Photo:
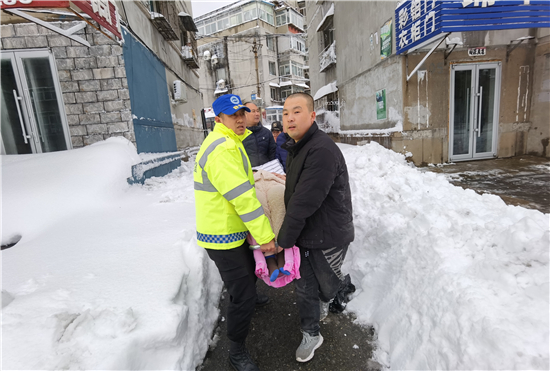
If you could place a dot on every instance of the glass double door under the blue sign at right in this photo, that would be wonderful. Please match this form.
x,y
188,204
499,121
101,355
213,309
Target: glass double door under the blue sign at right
x,y
474,111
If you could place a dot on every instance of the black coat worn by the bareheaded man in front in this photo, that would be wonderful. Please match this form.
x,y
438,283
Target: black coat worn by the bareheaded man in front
x,y
317,194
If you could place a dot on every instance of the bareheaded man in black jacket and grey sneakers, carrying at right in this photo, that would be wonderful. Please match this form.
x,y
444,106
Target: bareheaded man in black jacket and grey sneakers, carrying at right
x,y
319,217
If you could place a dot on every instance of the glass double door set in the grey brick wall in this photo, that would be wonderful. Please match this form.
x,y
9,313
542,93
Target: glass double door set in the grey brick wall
x,y
33,116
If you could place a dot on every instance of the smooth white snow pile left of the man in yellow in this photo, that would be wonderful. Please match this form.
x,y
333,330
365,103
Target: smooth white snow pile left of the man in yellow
x,y
106,275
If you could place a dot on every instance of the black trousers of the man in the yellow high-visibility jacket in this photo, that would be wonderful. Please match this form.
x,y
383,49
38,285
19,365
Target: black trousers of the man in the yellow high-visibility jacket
x,y
237,268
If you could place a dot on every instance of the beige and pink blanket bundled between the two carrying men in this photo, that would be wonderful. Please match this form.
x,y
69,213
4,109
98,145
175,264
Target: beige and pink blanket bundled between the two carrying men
x,y
270,192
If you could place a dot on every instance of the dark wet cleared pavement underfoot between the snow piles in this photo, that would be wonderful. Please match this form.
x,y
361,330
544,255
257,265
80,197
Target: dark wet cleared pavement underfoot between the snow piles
x,y
275,334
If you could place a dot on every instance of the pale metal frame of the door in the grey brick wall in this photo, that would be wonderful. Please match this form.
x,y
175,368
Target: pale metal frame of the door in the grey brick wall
x,y
27,112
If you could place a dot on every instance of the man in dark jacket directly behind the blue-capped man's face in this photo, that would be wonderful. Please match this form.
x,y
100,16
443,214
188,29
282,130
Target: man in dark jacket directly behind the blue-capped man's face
x,y
260,145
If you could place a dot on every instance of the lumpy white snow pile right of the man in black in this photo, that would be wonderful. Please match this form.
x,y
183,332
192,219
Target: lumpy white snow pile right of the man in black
x,y
449,278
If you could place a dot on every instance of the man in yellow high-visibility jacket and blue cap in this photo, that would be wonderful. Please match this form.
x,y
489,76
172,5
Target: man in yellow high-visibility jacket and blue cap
x,y
226,211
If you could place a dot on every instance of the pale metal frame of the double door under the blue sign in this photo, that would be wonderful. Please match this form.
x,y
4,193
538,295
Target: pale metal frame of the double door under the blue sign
x,y
474,110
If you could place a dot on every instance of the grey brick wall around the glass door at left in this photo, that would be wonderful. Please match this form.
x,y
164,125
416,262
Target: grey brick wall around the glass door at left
x,y
93,80
